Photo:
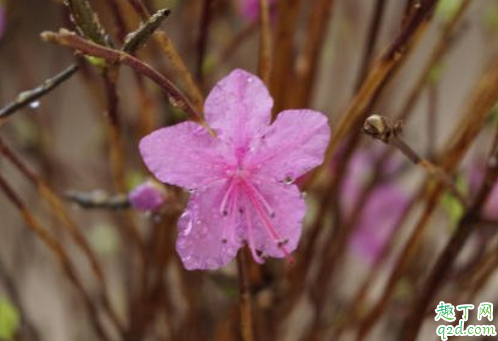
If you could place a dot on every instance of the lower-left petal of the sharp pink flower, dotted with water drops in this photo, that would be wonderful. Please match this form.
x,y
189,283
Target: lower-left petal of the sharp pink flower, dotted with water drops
x,y
204,241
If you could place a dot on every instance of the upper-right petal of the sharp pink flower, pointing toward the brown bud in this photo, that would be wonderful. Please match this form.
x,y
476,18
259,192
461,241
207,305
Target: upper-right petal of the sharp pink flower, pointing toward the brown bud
x,y
293,145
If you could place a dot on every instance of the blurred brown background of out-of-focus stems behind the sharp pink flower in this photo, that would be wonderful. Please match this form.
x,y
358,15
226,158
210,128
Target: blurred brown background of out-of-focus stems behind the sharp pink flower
x,y
67,138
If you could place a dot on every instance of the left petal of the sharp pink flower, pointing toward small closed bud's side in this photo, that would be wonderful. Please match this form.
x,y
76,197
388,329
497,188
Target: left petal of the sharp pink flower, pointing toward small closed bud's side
x,y
184,155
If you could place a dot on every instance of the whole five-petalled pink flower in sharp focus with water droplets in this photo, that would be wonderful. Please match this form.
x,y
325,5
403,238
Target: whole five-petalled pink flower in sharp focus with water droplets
x,y
240,180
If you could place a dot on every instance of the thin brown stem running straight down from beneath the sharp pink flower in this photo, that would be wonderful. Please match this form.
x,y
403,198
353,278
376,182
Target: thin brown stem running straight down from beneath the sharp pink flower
x,y
246,323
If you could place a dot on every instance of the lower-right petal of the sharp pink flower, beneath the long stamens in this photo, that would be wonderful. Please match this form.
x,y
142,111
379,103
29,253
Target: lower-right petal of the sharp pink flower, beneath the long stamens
x,y
282,211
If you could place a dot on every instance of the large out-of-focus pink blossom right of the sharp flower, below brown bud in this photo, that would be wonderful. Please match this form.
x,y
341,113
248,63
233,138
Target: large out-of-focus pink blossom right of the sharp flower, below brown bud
x,y
381,211
